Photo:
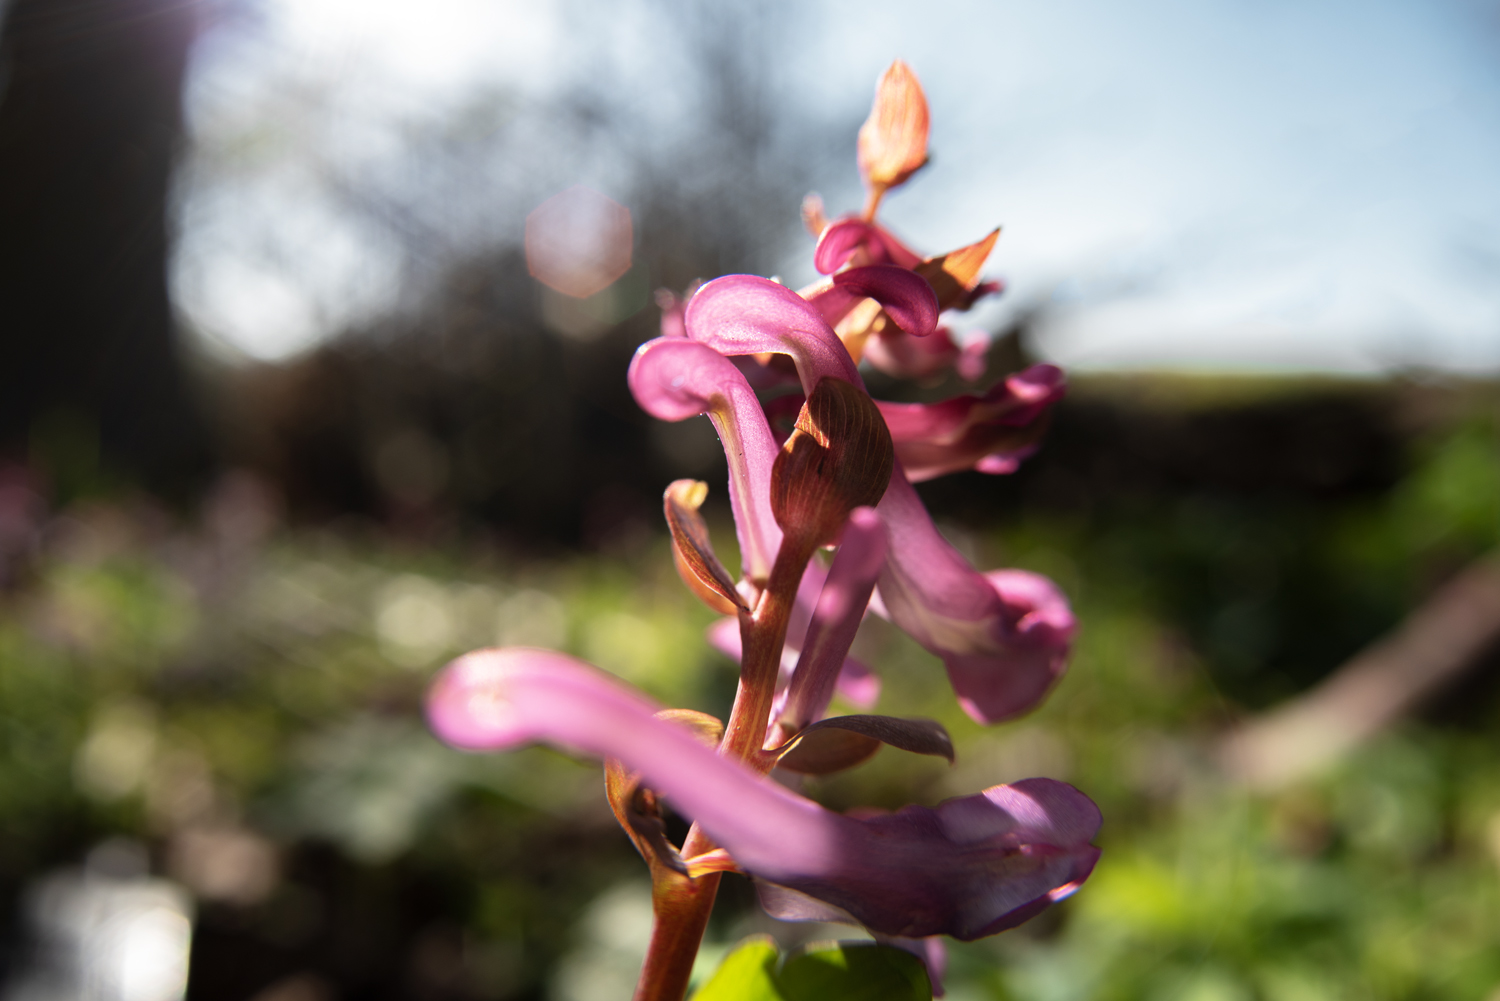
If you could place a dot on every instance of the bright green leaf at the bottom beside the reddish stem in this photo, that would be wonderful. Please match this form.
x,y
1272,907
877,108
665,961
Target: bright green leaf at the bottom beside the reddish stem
x,y
823,972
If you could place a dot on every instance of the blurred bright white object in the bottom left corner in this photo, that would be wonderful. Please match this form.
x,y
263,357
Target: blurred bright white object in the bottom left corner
x,y
107,933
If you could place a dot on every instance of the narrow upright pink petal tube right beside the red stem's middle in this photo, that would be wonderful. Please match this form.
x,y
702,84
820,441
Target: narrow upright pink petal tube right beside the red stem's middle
x,y
836,619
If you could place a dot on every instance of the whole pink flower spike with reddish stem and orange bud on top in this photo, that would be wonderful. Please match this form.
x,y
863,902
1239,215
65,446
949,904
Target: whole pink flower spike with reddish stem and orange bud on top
x,y
817,464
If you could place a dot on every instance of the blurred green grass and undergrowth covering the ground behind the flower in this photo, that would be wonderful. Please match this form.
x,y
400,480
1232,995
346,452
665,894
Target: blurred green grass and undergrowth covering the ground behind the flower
x,y
179,684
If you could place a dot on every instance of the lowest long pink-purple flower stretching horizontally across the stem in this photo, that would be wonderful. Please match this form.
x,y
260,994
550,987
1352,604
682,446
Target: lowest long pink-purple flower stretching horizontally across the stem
x,y
968,868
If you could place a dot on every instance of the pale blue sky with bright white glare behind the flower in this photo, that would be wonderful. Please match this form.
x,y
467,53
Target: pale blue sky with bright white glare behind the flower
x,y
1214,185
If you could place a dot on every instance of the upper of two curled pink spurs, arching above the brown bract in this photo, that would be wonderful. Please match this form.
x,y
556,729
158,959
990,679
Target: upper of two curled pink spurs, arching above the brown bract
x,y
743,314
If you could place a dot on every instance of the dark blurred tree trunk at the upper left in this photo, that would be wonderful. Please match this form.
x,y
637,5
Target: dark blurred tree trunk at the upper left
x,y
91,119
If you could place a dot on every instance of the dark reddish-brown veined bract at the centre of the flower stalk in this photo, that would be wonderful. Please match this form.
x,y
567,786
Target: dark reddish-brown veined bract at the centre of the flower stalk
x,y
838,458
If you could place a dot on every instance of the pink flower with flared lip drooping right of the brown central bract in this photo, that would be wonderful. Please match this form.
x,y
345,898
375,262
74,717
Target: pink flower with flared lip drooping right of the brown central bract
x,y
1004,639
